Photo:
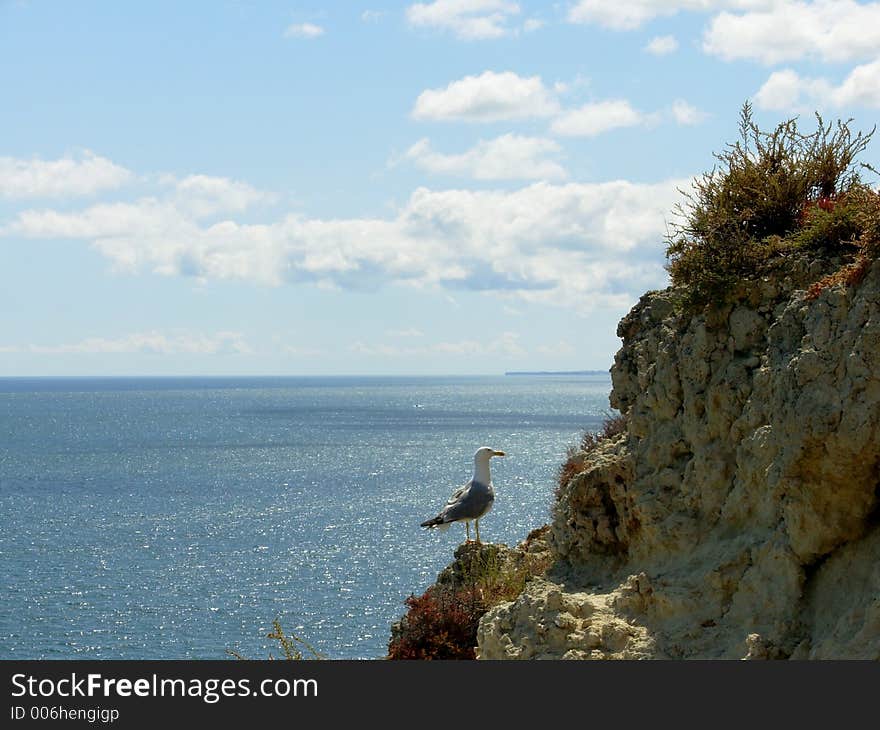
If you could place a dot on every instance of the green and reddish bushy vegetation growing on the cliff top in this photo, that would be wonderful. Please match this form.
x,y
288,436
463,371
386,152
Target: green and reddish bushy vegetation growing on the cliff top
x,y
771,195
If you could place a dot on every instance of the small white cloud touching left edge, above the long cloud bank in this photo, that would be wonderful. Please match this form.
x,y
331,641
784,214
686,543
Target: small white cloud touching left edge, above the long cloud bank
x,y
61,178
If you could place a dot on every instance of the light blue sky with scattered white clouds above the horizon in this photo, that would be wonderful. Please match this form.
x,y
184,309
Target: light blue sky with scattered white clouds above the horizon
x,y
459,186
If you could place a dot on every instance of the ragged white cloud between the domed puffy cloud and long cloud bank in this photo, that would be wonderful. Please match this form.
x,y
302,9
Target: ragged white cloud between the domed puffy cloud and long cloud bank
x,y
509,157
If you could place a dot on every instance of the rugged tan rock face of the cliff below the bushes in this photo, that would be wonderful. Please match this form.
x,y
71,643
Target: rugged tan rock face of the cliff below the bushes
x,y
738,515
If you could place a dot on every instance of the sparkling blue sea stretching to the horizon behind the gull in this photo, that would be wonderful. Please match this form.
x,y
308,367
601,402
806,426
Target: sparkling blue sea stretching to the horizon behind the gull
x,y
178,518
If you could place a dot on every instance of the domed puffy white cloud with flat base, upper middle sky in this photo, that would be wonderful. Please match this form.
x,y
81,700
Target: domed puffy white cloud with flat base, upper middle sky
x,y
488,97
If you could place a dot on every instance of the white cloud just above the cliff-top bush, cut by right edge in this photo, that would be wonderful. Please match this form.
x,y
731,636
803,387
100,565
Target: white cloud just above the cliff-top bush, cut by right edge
x,y
788,90
